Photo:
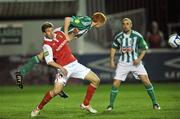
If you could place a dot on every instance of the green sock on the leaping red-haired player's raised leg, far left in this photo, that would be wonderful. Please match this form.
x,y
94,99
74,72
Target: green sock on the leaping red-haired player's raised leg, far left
x,y
26,68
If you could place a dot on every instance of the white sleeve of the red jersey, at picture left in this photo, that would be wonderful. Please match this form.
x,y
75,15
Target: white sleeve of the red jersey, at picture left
x,y
48,53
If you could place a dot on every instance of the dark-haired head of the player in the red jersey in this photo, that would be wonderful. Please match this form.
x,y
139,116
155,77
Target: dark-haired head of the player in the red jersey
x,y
47,29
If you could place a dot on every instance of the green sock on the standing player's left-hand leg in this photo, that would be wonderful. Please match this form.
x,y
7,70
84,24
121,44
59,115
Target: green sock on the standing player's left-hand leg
x,y
113,94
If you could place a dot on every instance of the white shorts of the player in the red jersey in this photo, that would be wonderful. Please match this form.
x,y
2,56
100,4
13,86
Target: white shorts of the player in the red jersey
x,y
74,69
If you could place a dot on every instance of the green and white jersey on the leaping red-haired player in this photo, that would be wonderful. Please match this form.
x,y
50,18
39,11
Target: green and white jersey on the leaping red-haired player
x,y
82,23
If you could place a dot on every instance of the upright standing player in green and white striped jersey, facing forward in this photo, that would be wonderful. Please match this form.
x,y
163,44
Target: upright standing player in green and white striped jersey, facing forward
x,y
132,48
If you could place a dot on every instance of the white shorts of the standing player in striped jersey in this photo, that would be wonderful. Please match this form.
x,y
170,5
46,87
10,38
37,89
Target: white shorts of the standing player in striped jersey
x,y
123,69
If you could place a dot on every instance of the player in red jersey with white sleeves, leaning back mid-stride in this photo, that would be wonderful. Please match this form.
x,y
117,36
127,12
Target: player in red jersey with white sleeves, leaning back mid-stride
x,y
56,46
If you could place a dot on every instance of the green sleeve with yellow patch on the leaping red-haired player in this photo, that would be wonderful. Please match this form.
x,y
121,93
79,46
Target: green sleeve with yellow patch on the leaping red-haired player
x,y
80,21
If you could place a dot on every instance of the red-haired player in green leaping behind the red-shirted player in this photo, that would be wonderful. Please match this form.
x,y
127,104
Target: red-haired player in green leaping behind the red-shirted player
x,y
74,27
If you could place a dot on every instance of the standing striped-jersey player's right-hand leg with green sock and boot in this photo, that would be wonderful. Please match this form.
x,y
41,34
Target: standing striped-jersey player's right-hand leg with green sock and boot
x,y
150,90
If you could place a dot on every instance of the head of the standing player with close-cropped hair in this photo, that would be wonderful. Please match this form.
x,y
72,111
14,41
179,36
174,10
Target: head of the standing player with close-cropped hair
x,y
126,25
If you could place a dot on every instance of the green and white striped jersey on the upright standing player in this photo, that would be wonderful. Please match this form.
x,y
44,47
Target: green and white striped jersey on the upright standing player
x,y
129,45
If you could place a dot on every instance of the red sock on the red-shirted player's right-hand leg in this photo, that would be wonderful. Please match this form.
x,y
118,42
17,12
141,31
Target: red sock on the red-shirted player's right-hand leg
x,y
90,91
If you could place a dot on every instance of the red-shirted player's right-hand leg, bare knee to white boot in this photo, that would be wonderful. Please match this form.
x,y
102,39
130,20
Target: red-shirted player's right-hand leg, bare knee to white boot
x,y
94,83
